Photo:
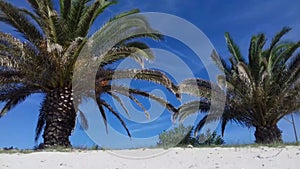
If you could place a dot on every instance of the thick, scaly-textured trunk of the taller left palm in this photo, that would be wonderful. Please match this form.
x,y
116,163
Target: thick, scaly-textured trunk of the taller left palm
x,y
60,117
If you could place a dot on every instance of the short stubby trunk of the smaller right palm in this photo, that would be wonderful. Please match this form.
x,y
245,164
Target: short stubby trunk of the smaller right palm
x,y
268,134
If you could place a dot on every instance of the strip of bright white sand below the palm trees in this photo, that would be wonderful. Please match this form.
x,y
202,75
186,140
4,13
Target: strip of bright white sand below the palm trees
x,y
176,158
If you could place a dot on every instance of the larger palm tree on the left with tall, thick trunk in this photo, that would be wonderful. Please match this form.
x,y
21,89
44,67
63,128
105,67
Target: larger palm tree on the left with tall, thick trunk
x,y
44,58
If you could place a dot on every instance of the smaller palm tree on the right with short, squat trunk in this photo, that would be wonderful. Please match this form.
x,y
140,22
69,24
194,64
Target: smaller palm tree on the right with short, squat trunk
x,y
260,89
